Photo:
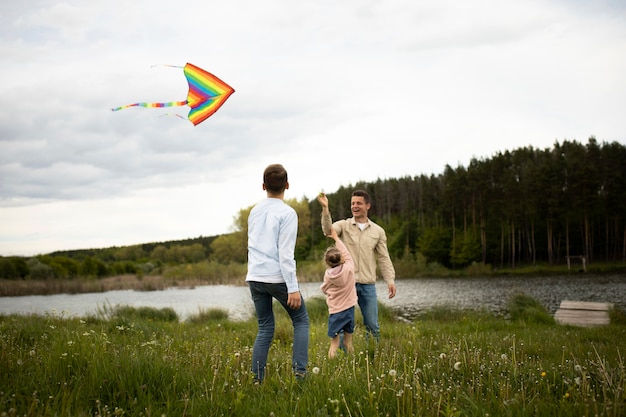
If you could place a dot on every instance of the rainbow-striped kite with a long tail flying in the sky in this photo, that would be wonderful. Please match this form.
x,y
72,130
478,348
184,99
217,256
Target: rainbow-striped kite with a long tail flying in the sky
x,y
206,94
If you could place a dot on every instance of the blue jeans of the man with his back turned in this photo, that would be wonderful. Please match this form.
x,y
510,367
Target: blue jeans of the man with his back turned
x,y
263,295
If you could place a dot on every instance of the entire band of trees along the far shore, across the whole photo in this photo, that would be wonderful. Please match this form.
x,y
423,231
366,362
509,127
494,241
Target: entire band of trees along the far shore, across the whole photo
x,y
516,208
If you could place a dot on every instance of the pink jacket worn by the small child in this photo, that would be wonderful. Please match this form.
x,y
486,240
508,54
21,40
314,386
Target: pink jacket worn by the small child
x,y
339,284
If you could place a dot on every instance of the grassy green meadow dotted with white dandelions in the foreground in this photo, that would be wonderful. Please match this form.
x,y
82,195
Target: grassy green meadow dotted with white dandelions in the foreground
x,y
128,361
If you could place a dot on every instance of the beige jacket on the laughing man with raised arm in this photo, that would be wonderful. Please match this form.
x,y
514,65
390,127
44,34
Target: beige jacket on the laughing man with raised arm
x,y
368,248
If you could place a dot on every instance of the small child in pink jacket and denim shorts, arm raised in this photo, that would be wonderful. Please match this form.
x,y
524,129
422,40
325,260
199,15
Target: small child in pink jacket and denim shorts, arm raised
x,y
340,289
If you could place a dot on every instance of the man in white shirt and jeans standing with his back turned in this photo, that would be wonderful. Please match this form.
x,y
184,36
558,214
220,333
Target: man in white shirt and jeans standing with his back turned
x,y
272,233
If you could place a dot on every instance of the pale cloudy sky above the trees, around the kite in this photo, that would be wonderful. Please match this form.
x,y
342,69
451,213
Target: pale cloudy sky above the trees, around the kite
x,y
337,91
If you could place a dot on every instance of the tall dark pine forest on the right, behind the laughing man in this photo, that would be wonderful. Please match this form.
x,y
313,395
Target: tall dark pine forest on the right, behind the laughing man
x,y
516,208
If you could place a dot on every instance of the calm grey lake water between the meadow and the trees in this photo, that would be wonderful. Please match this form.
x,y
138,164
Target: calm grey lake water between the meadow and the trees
x,y
414,296
